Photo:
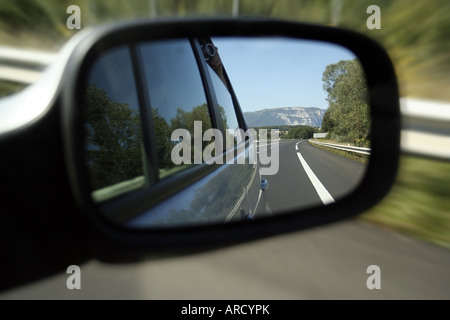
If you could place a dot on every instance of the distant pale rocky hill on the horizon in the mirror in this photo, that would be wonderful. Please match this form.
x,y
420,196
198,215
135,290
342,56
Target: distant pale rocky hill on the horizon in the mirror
x,y
285,116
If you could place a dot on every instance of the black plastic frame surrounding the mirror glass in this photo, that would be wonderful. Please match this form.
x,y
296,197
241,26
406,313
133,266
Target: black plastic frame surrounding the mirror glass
x,y
114,243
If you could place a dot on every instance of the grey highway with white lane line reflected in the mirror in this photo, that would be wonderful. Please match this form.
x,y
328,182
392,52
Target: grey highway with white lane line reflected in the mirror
x,y
309,176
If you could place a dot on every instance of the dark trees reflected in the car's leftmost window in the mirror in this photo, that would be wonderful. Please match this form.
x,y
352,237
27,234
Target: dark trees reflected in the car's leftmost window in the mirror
x,y
113,140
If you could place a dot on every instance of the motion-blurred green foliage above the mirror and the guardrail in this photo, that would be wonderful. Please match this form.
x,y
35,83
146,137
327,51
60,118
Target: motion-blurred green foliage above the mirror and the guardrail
x,y
415,33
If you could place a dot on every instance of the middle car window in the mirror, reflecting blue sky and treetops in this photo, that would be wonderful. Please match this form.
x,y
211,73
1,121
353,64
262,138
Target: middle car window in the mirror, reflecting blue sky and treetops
x,y
176,95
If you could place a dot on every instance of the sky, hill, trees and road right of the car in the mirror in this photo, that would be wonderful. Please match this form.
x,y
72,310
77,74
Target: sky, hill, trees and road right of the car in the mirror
x,y
315,95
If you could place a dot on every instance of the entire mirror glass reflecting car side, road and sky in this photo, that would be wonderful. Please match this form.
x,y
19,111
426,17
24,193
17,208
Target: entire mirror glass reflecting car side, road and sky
x,y
196,131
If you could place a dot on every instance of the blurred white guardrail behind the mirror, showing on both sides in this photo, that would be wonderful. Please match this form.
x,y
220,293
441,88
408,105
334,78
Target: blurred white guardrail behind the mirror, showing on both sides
x,y
425,124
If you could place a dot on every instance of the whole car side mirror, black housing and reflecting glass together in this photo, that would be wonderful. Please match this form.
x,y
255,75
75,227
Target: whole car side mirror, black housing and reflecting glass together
x,y
169,147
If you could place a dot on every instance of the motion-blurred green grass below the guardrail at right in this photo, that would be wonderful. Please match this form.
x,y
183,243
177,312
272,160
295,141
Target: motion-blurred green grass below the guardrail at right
x,y
418,202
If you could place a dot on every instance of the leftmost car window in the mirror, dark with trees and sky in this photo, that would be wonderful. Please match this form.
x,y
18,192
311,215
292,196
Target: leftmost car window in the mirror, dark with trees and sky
x,y
113,136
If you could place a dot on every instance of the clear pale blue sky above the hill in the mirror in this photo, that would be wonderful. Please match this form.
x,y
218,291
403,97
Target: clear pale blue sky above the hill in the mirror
x,y
278,72
